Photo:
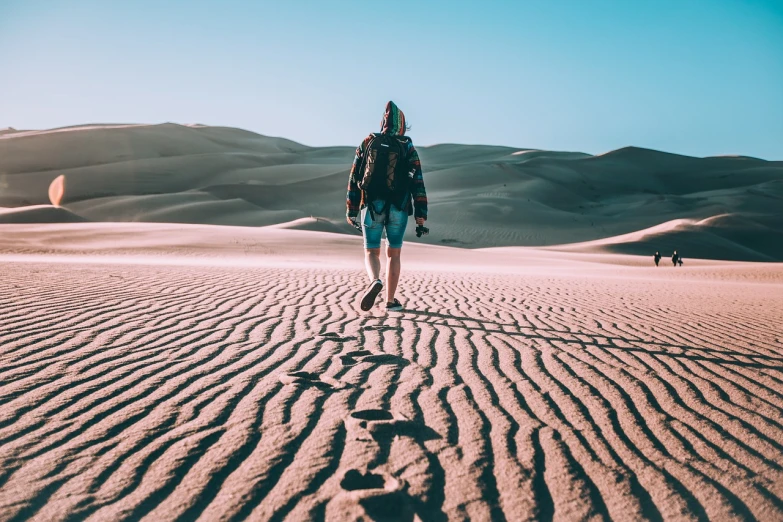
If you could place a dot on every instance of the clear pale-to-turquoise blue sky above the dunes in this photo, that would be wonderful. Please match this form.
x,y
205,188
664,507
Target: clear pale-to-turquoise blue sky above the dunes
x,y
698,77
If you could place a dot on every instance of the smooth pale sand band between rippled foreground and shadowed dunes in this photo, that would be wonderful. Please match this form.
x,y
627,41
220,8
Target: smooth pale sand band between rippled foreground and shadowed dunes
x,y
305,243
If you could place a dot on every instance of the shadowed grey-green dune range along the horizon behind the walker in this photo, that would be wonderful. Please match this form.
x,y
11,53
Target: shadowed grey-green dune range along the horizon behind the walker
x,y
481,196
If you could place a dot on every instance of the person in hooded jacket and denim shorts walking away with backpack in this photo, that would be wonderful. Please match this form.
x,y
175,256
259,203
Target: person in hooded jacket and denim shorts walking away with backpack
x,y
385,187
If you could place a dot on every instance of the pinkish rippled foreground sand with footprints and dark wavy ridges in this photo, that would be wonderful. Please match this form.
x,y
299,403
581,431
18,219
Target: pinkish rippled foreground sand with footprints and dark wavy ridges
x,y
172,393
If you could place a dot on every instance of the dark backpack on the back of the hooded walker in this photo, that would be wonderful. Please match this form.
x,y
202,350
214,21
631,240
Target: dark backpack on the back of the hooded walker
x,y
384,171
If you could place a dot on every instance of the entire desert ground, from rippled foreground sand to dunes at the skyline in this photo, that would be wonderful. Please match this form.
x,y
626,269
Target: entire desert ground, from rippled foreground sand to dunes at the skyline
x,y
180,337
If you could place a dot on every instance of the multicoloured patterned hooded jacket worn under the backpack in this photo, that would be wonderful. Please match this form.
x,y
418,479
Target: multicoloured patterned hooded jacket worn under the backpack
x,y
393,123
